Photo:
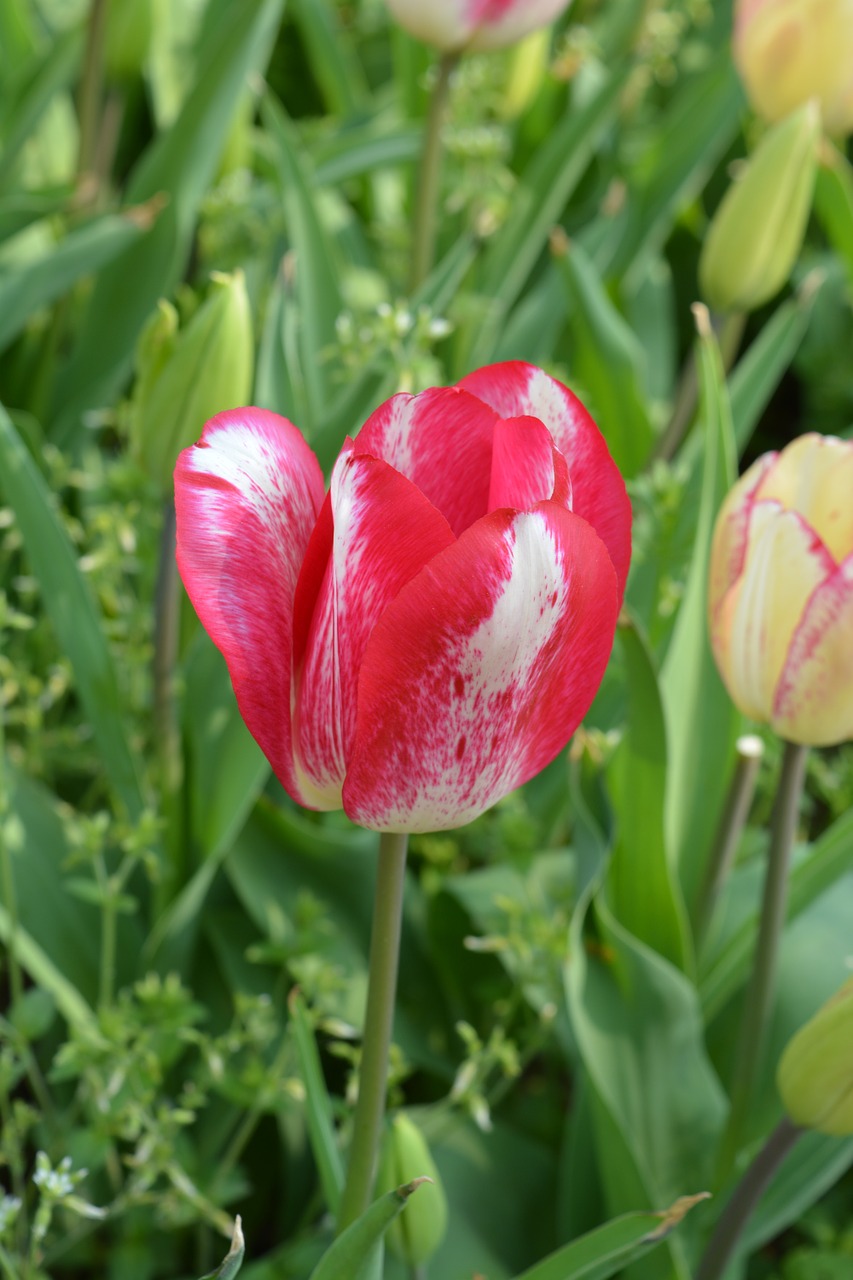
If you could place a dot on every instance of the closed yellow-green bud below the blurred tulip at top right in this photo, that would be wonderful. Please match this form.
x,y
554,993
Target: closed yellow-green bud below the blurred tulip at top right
x,y
758,232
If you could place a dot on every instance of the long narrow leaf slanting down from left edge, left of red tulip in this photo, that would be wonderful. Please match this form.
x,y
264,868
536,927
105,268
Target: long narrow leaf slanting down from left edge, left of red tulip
x,y
69,602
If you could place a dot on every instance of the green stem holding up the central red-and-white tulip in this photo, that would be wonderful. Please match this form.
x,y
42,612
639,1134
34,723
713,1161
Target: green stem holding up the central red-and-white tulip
x,y
382,988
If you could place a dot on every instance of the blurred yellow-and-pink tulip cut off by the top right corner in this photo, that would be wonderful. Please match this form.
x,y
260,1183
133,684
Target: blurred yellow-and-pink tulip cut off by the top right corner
x,y
790,52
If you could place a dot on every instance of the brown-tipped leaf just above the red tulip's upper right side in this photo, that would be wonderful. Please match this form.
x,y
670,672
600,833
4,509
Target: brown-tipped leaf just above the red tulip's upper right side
x,y
606,360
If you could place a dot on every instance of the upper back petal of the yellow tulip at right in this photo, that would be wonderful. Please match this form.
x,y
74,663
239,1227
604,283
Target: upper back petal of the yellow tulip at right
x,y
814,476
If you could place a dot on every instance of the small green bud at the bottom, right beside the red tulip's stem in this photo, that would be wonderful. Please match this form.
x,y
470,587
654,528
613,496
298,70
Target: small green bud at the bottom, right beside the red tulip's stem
x,y
405,1156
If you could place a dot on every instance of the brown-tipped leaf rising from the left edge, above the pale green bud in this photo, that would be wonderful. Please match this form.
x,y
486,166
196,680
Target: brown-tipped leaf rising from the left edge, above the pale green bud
x,y
44,280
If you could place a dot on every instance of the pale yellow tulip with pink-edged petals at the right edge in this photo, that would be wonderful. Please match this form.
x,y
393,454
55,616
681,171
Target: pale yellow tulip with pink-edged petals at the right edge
x,y
782,591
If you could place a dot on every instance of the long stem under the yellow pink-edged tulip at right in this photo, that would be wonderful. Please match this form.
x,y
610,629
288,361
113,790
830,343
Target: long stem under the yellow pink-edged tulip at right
x,y
760,993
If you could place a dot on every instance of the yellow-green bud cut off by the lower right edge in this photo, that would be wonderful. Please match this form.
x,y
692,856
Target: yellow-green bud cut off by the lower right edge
x,y
816,1071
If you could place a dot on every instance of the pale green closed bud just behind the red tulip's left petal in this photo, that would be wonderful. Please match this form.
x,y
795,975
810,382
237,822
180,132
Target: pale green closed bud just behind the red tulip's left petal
x,y
186,377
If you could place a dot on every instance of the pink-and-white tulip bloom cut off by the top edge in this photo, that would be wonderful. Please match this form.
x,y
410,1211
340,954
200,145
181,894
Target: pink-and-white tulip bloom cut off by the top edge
x,y
457,26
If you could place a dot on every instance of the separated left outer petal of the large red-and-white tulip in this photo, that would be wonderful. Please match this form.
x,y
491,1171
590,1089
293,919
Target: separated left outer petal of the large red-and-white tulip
x,y
247,500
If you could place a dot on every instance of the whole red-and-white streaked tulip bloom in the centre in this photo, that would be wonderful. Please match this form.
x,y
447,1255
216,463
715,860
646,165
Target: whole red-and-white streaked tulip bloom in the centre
x,y
427,637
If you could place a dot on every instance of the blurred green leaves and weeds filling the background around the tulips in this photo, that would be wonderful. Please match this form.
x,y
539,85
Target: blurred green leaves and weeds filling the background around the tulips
x,y
562,1040
